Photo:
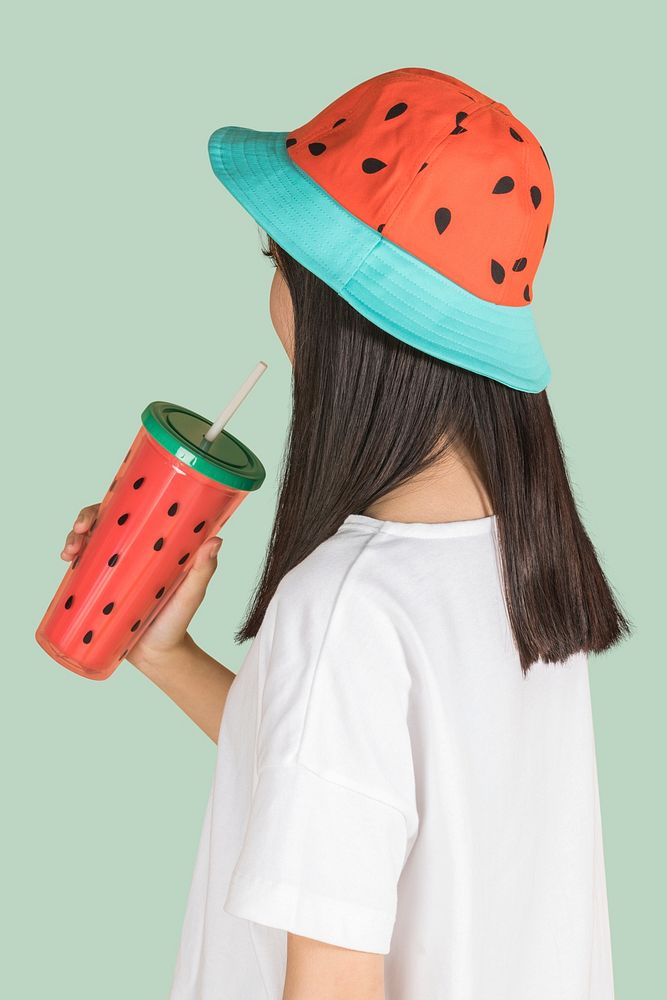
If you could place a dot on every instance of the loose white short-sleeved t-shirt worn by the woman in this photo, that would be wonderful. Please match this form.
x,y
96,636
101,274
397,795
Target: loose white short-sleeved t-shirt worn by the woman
x,y
387,780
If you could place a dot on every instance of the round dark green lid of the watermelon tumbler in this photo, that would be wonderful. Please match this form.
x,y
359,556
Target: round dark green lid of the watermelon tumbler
x,y
181,432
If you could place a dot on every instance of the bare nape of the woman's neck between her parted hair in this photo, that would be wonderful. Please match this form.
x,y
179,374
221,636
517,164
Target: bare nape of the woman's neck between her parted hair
x,y
450,490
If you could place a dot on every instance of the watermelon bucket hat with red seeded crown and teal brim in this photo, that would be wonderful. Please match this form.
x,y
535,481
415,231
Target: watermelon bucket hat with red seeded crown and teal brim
x,y
421,201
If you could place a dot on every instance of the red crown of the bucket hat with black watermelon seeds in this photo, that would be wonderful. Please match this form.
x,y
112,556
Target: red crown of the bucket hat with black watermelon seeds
x,y
440,169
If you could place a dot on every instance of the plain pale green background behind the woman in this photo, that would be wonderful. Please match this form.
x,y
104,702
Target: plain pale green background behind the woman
x,y
132,275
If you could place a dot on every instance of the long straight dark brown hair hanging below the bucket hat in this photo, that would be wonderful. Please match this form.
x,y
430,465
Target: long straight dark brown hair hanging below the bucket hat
x,y
370,412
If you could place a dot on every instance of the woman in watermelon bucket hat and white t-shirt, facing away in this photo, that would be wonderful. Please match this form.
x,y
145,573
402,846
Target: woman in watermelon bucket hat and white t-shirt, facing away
x,y
405,803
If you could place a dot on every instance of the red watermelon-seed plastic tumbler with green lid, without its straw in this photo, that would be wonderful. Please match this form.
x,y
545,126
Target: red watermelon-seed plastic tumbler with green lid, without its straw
x,y
167,498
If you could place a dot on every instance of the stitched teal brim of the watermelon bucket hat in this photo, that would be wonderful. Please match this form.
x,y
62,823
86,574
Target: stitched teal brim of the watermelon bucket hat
x,y
386,284
